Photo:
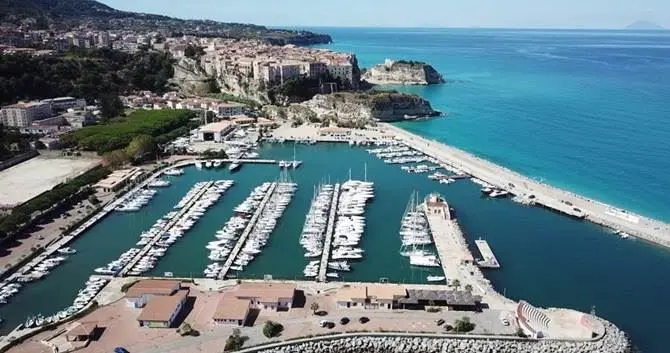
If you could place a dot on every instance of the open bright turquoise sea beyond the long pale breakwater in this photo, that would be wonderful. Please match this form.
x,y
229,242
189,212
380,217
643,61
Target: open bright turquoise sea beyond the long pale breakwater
x,y
583,110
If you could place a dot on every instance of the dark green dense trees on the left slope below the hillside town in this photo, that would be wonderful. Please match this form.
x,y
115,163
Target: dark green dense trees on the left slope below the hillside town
x,y
88,74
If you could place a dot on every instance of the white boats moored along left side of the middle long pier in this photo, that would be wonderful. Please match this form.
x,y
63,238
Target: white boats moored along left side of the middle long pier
x,y
229,235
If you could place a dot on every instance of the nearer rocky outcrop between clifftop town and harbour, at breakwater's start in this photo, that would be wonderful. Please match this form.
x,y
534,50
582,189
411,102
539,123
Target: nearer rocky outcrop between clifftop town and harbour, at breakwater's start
x,y
356,109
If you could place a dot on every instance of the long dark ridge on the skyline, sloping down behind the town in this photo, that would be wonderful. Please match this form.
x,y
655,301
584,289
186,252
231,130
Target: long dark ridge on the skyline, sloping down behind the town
x,y
67,14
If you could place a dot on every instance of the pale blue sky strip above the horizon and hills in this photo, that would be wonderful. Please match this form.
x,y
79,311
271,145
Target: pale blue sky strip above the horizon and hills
x,y
413,13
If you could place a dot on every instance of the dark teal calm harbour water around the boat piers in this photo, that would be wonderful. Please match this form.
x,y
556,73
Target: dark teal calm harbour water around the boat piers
x,y
548,259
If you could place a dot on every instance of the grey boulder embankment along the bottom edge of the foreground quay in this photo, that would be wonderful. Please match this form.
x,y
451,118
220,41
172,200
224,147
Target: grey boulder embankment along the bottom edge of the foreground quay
x,y
614,341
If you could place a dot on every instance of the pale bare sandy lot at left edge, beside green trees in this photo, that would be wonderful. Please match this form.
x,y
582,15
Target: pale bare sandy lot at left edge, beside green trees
x,y
26,180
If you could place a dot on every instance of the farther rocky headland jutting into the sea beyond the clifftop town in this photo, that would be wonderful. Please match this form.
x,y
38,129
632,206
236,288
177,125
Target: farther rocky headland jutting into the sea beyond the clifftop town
x,y
404,73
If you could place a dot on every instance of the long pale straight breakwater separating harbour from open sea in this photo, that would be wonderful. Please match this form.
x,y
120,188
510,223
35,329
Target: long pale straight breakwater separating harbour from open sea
x,y
545,195
